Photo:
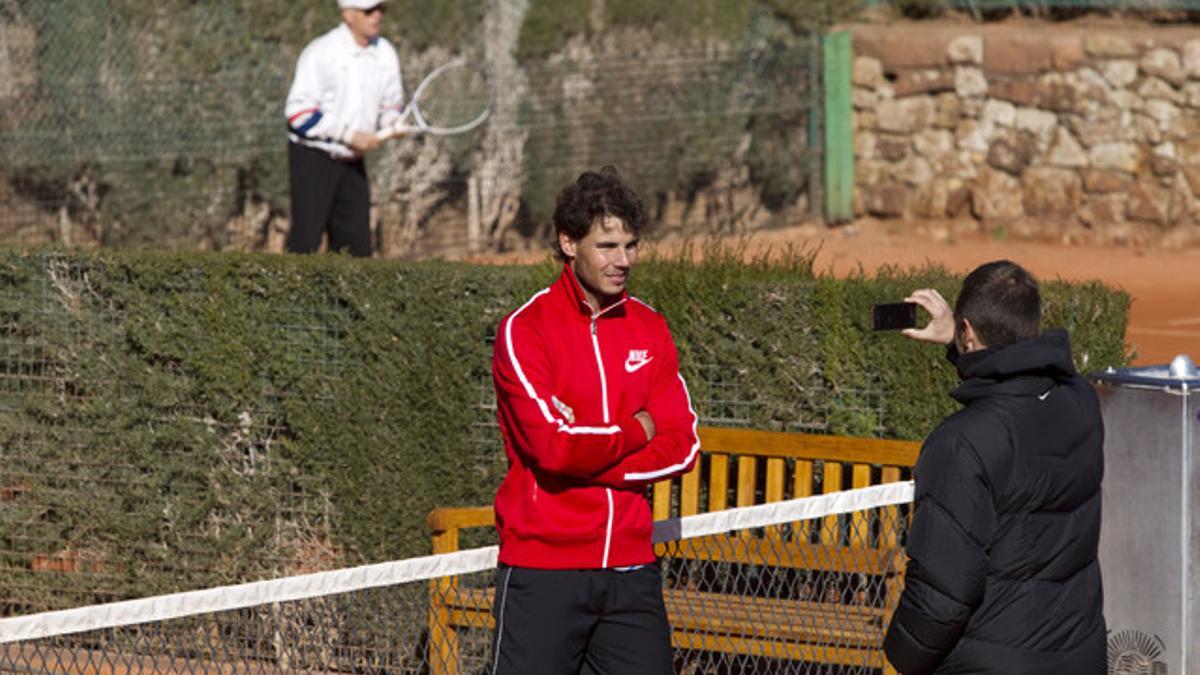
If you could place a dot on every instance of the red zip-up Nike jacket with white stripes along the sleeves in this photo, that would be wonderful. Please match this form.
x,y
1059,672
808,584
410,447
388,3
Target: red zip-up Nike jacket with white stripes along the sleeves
x,y
568,383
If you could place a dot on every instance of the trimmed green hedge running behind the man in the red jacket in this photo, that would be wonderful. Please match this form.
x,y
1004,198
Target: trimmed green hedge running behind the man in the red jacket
x,y
175,421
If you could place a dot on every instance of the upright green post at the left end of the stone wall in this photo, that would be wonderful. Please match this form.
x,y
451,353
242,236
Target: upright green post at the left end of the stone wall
x,y
839,132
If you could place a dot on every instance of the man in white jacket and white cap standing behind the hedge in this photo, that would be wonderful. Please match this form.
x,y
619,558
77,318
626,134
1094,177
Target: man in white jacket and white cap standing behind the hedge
x,y
347,87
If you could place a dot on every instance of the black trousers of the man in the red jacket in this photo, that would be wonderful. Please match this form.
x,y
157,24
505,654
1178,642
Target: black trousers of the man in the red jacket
x,y
590,622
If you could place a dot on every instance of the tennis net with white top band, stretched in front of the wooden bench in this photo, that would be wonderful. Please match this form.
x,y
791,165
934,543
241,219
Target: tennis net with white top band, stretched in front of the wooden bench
x,y
799,587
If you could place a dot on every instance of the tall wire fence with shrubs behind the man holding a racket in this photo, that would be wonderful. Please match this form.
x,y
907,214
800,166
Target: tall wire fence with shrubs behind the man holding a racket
x,y
163,126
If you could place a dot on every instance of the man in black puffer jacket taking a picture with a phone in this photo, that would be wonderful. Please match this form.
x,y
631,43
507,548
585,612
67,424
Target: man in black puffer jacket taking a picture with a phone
x,y
1003,575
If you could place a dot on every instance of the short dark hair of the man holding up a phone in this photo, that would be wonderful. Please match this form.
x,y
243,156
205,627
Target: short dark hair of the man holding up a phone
x,y
1003,303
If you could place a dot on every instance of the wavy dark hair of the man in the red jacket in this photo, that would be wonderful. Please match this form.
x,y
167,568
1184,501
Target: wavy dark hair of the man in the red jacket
x,y
592,198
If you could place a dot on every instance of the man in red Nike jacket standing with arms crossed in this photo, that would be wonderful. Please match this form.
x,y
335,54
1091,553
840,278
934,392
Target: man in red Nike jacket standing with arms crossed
x,y
593,410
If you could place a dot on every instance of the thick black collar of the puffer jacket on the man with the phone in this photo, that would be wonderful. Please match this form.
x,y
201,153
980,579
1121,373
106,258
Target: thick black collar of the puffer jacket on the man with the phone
x,y
1028,368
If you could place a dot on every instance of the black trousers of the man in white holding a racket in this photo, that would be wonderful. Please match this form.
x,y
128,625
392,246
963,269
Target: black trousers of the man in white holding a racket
x,y
328,194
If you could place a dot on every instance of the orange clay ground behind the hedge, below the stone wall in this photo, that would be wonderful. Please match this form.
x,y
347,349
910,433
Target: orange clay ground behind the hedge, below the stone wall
x,y
1165,283
